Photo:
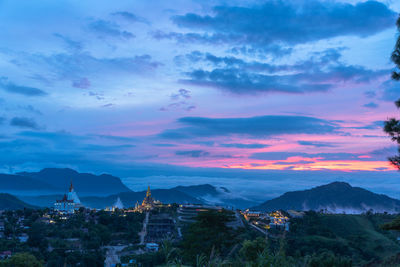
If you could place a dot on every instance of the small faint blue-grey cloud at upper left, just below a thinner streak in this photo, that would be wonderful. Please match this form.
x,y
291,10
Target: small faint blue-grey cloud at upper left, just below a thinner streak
x,y
109,29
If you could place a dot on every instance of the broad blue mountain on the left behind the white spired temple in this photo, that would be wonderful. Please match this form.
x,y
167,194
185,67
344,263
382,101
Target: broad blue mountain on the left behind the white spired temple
x,y
84,183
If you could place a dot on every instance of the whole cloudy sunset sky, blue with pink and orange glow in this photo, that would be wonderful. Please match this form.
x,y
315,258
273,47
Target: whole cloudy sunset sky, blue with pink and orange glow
x,y
290,93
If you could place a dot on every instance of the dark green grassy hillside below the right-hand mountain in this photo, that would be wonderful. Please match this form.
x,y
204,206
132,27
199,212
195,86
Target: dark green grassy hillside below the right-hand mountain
x,y
357,237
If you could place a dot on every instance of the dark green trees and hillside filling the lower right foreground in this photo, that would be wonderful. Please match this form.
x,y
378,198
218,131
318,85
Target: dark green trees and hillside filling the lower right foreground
x,y
315,240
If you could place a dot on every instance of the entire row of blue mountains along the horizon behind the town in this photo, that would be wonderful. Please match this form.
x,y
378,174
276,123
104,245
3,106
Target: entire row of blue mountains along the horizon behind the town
x,y
99,191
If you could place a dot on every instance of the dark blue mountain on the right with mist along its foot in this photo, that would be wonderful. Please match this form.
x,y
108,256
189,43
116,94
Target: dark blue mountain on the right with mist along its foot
x,y
336,197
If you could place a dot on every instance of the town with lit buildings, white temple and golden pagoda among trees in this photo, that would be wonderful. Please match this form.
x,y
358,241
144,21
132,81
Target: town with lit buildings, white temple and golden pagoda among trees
x,y
116,235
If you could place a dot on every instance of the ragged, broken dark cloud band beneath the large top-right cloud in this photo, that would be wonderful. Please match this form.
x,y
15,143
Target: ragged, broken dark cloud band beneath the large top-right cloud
x,y
320,73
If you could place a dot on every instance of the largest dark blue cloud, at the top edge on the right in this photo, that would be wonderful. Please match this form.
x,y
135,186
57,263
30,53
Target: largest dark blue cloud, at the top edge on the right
x,y
287,22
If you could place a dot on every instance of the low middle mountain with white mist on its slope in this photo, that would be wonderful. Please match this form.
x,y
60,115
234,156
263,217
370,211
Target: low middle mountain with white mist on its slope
x,y
216,195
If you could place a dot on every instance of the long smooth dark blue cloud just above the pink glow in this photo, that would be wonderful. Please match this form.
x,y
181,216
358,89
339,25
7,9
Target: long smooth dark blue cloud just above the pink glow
x,y
252,126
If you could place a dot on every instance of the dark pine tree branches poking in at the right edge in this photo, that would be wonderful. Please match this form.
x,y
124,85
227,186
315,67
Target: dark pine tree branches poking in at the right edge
x,y
392,125
